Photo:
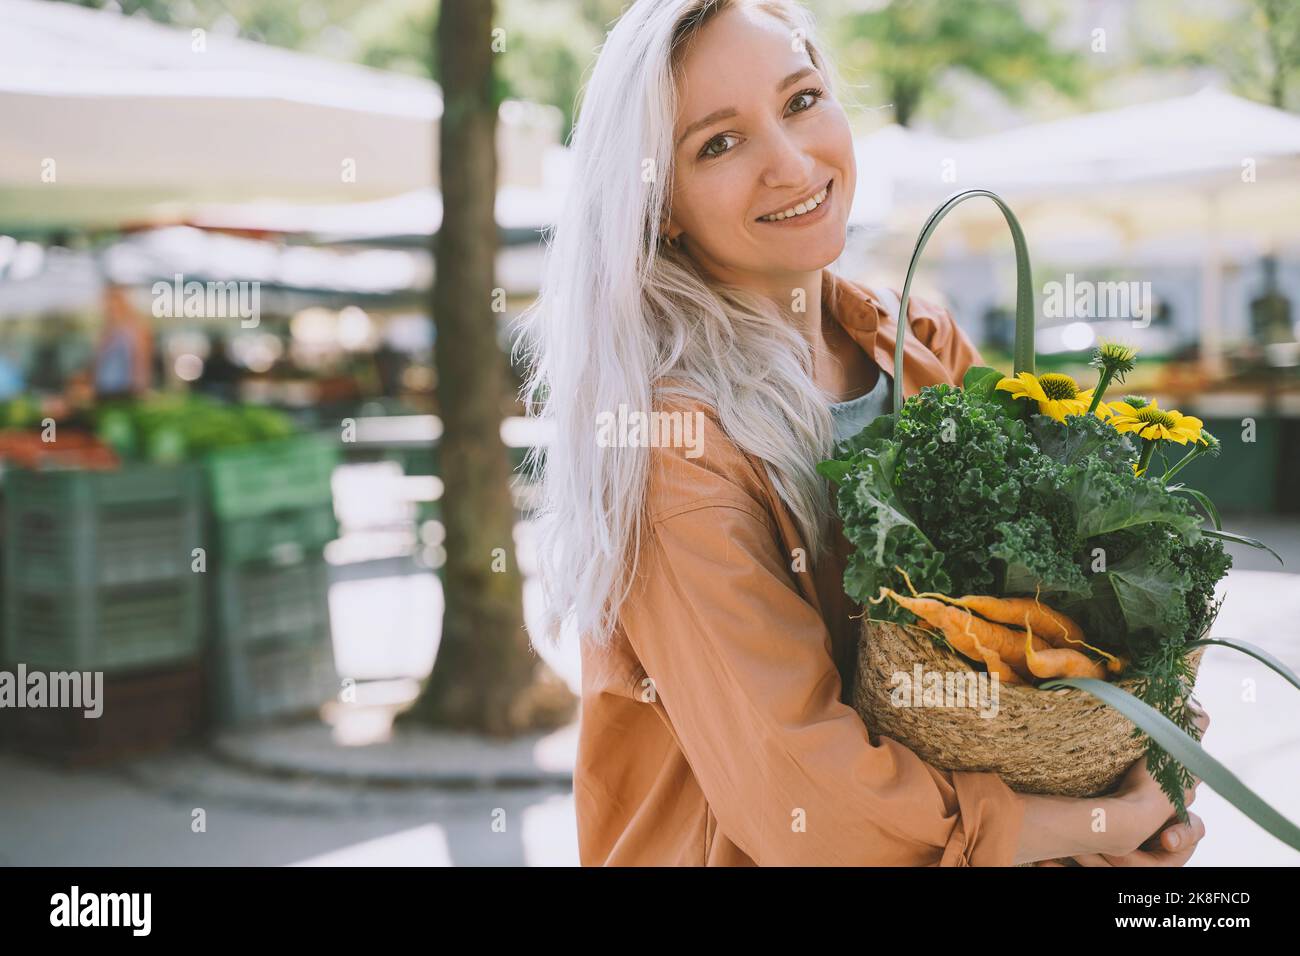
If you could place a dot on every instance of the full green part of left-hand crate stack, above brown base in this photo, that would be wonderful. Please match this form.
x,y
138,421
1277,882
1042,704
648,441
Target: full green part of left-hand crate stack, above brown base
x,y
99,569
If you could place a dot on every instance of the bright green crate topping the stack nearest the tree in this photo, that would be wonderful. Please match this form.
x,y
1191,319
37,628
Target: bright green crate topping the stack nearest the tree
x,y
252,481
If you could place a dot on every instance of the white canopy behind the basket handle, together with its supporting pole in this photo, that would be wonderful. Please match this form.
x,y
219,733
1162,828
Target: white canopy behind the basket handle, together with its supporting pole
x,y
1206,172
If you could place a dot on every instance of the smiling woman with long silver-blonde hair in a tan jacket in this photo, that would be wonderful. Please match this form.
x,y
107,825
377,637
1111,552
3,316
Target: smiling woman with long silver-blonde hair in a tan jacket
x,y
704,572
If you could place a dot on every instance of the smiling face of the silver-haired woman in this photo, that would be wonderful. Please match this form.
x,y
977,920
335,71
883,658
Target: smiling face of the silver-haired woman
x,y
759,135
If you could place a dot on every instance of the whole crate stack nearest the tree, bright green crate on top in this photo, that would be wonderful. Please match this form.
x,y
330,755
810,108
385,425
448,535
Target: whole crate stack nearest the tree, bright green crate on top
x,y
272,516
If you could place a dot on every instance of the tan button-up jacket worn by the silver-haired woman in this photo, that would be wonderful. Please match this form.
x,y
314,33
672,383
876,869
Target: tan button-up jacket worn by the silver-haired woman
x,y
714,732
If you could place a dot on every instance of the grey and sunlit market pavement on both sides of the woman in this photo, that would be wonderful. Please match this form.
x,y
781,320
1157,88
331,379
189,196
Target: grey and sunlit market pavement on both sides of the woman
x,y
344,790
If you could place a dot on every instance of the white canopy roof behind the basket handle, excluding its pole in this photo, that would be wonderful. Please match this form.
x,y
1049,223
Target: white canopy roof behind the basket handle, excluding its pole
x,y
1143,168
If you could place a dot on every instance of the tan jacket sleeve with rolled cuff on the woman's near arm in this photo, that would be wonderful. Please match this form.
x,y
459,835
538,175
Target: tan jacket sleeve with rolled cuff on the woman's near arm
x,y
742,667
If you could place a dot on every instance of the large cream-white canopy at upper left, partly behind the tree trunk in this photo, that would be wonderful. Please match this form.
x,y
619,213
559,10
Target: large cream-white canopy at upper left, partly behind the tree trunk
x,y
111,119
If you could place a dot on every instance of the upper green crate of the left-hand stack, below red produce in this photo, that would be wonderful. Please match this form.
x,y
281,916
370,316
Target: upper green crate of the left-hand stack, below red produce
x,y
109,529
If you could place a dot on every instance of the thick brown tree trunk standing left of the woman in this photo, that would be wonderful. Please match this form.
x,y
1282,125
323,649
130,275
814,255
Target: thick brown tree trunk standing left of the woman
x,y
487,677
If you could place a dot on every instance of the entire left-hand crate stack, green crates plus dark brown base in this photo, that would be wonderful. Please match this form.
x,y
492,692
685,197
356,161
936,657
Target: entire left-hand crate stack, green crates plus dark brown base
x,y
99,578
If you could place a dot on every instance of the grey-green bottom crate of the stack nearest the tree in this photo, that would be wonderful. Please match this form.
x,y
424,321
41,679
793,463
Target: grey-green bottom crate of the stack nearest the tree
x,y
272,680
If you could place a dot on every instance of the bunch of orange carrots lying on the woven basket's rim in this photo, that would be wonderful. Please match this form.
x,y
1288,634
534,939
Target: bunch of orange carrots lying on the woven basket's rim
x,y
990,630
